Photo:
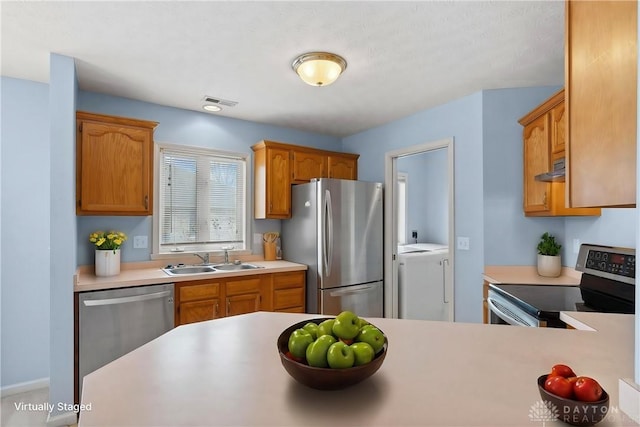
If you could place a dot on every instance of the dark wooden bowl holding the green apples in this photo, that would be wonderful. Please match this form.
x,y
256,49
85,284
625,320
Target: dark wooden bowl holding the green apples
x,y
326,378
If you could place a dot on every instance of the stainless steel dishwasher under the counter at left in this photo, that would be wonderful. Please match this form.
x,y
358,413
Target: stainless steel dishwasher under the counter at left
x,y
116,321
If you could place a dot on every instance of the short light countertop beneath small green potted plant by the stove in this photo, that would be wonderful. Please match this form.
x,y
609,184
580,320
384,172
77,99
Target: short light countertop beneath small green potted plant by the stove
x,y
527,274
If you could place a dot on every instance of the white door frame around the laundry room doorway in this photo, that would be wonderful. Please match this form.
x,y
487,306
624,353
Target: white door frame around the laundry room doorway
x,y
390,228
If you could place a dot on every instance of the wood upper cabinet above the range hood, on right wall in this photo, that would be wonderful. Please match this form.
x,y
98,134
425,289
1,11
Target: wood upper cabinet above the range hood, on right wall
x,y
543,144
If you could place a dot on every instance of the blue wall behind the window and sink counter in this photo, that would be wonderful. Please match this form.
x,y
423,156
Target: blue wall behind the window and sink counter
x,y
184,127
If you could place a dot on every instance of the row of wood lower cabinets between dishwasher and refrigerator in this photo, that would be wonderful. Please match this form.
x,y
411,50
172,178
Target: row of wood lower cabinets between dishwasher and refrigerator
x,y
207,299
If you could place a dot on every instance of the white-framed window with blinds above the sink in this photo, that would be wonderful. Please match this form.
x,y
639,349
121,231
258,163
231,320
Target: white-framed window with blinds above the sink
x,y
201,200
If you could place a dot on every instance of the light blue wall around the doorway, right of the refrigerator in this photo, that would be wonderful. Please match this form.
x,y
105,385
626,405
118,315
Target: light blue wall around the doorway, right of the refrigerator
x,y
462,120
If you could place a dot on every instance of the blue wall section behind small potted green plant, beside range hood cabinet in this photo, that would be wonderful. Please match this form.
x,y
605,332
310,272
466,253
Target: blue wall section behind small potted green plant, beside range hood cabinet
x,y
510,237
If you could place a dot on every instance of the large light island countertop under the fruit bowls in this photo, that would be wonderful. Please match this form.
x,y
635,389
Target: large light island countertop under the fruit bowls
x,y
227,372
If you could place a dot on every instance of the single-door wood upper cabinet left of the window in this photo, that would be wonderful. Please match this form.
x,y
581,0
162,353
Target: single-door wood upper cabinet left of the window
x,y
114,165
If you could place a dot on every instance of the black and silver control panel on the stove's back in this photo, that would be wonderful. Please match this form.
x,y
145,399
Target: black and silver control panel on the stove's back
x,y
607,261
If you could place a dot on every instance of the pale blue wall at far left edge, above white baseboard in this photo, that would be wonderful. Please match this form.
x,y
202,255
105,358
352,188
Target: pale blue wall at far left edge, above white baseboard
x,y
25,231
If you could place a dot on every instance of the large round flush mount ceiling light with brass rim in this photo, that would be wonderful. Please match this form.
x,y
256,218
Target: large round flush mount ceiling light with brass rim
x,y
319,68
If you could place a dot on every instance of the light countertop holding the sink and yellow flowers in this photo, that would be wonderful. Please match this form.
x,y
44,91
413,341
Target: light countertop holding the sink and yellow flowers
x,y
150,273
